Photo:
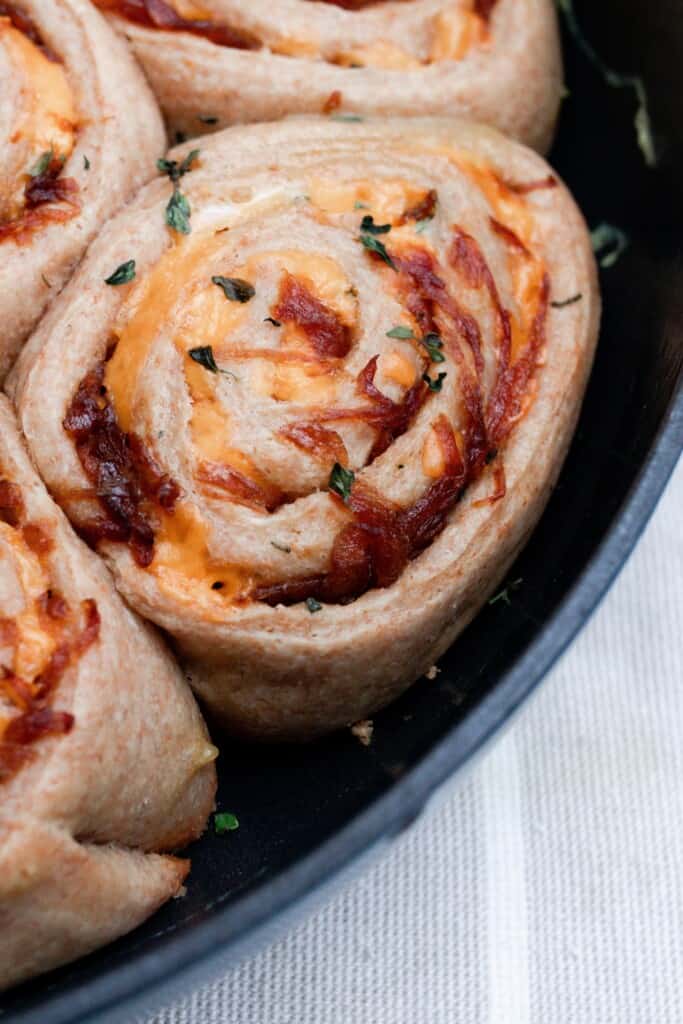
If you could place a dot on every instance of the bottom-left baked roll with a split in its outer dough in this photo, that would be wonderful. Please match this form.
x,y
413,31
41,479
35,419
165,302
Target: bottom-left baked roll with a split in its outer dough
x,y
105,761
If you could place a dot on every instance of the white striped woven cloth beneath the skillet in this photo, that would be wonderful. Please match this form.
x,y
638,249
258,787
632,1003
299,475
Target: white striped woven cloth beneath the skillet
x,y
545,889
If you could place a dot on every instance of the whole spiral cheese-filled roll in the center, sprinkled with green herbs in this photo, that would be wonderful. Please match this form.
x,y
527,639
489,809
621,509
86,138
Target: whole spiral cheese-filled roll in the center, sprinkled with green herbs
x,y
321,403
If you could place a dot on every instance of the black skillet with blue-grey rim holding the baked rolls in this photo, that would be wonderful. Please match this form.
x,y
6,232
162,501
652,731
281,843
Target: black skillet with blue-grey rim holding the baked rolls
x,y
307,813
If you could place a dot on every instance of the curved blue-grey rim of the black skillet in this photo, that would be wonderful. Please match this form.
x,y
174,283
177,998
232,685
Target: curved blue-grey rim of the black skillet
x,y
232,930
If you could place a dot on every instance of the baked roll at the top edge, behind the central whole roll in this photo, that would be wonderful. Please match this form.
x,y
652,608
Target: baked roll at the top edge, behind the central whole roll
x,y
217,63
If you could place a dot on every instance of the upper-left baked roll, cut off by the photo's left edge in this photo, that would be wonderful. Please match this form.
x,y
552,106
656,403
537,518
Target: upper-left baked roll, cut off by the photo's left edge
x,y
79,132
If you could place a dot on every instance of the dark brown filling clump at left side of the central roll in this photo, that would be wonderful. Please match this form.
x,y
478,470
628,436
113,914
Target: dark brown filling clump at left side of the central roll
x,y
126,479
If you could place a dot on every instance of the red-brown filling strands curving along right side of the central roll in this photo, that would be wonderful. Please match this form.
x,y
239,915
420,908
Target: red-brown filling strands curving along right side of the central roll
x,y
374,548
